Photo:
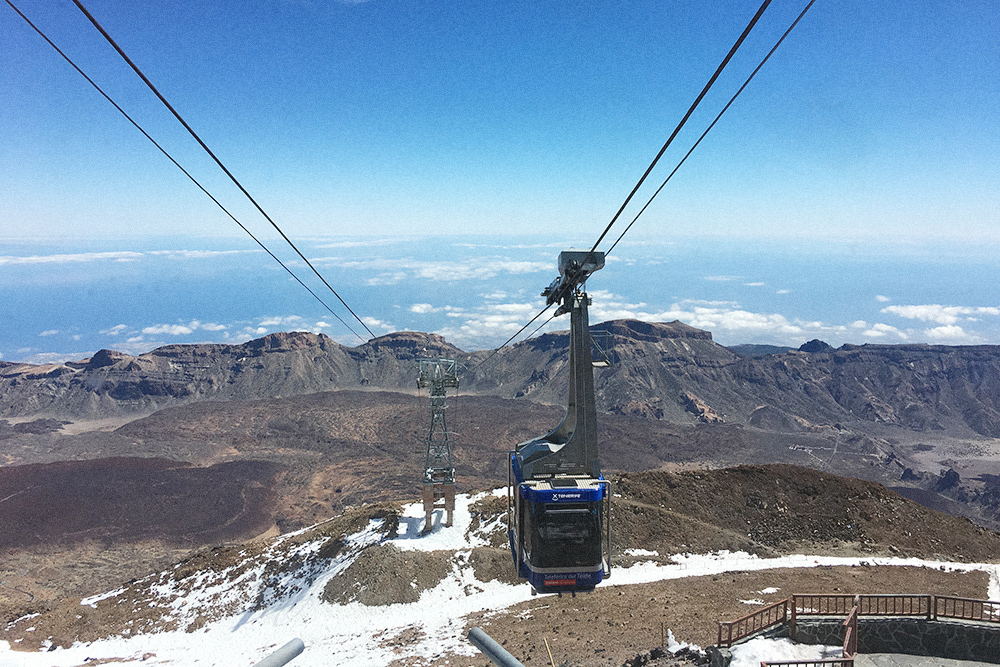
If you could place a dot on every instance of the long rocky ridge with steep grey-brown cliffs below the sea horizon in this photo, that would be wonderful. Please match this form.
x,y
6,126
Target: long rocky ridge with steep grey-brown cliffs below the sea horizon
x,y
656,369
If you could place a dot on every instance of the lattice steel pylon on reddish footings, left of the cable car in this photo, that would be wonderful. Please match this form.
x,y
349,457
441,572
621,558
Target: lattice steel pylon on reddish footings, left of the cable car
x,y
438,375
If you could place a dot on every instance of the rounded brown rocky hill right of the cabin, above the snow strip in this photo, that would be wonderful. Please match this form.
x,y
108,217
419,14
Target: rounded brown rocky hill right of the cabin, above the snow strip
x,y
782,508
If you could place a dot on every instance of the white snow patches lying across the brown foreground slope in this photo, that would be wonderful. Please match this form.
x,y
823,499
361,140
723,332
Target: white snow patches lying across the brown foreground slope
x,y
354,635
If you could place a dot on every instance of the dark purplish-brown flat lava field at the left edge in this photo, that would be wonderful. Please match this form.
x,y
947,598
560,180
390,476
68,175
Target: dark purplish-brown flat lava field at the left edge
x,y
126,500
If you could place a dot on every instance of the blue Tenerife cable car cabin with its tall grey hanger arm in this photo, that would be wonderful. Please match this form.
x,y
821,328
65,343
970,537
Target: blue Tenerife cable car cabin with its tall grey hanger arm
x,y
558,503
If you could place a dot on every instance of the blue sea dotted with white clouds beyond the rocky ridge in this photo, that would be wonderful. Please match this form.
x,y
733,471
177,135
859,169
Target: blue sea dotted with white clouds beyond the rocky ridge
x,y
64,300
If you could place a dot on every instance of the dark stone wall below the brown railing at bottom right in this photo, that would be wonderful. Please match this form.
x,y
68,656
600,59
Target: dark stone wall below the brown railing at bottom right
x,y
911,636
